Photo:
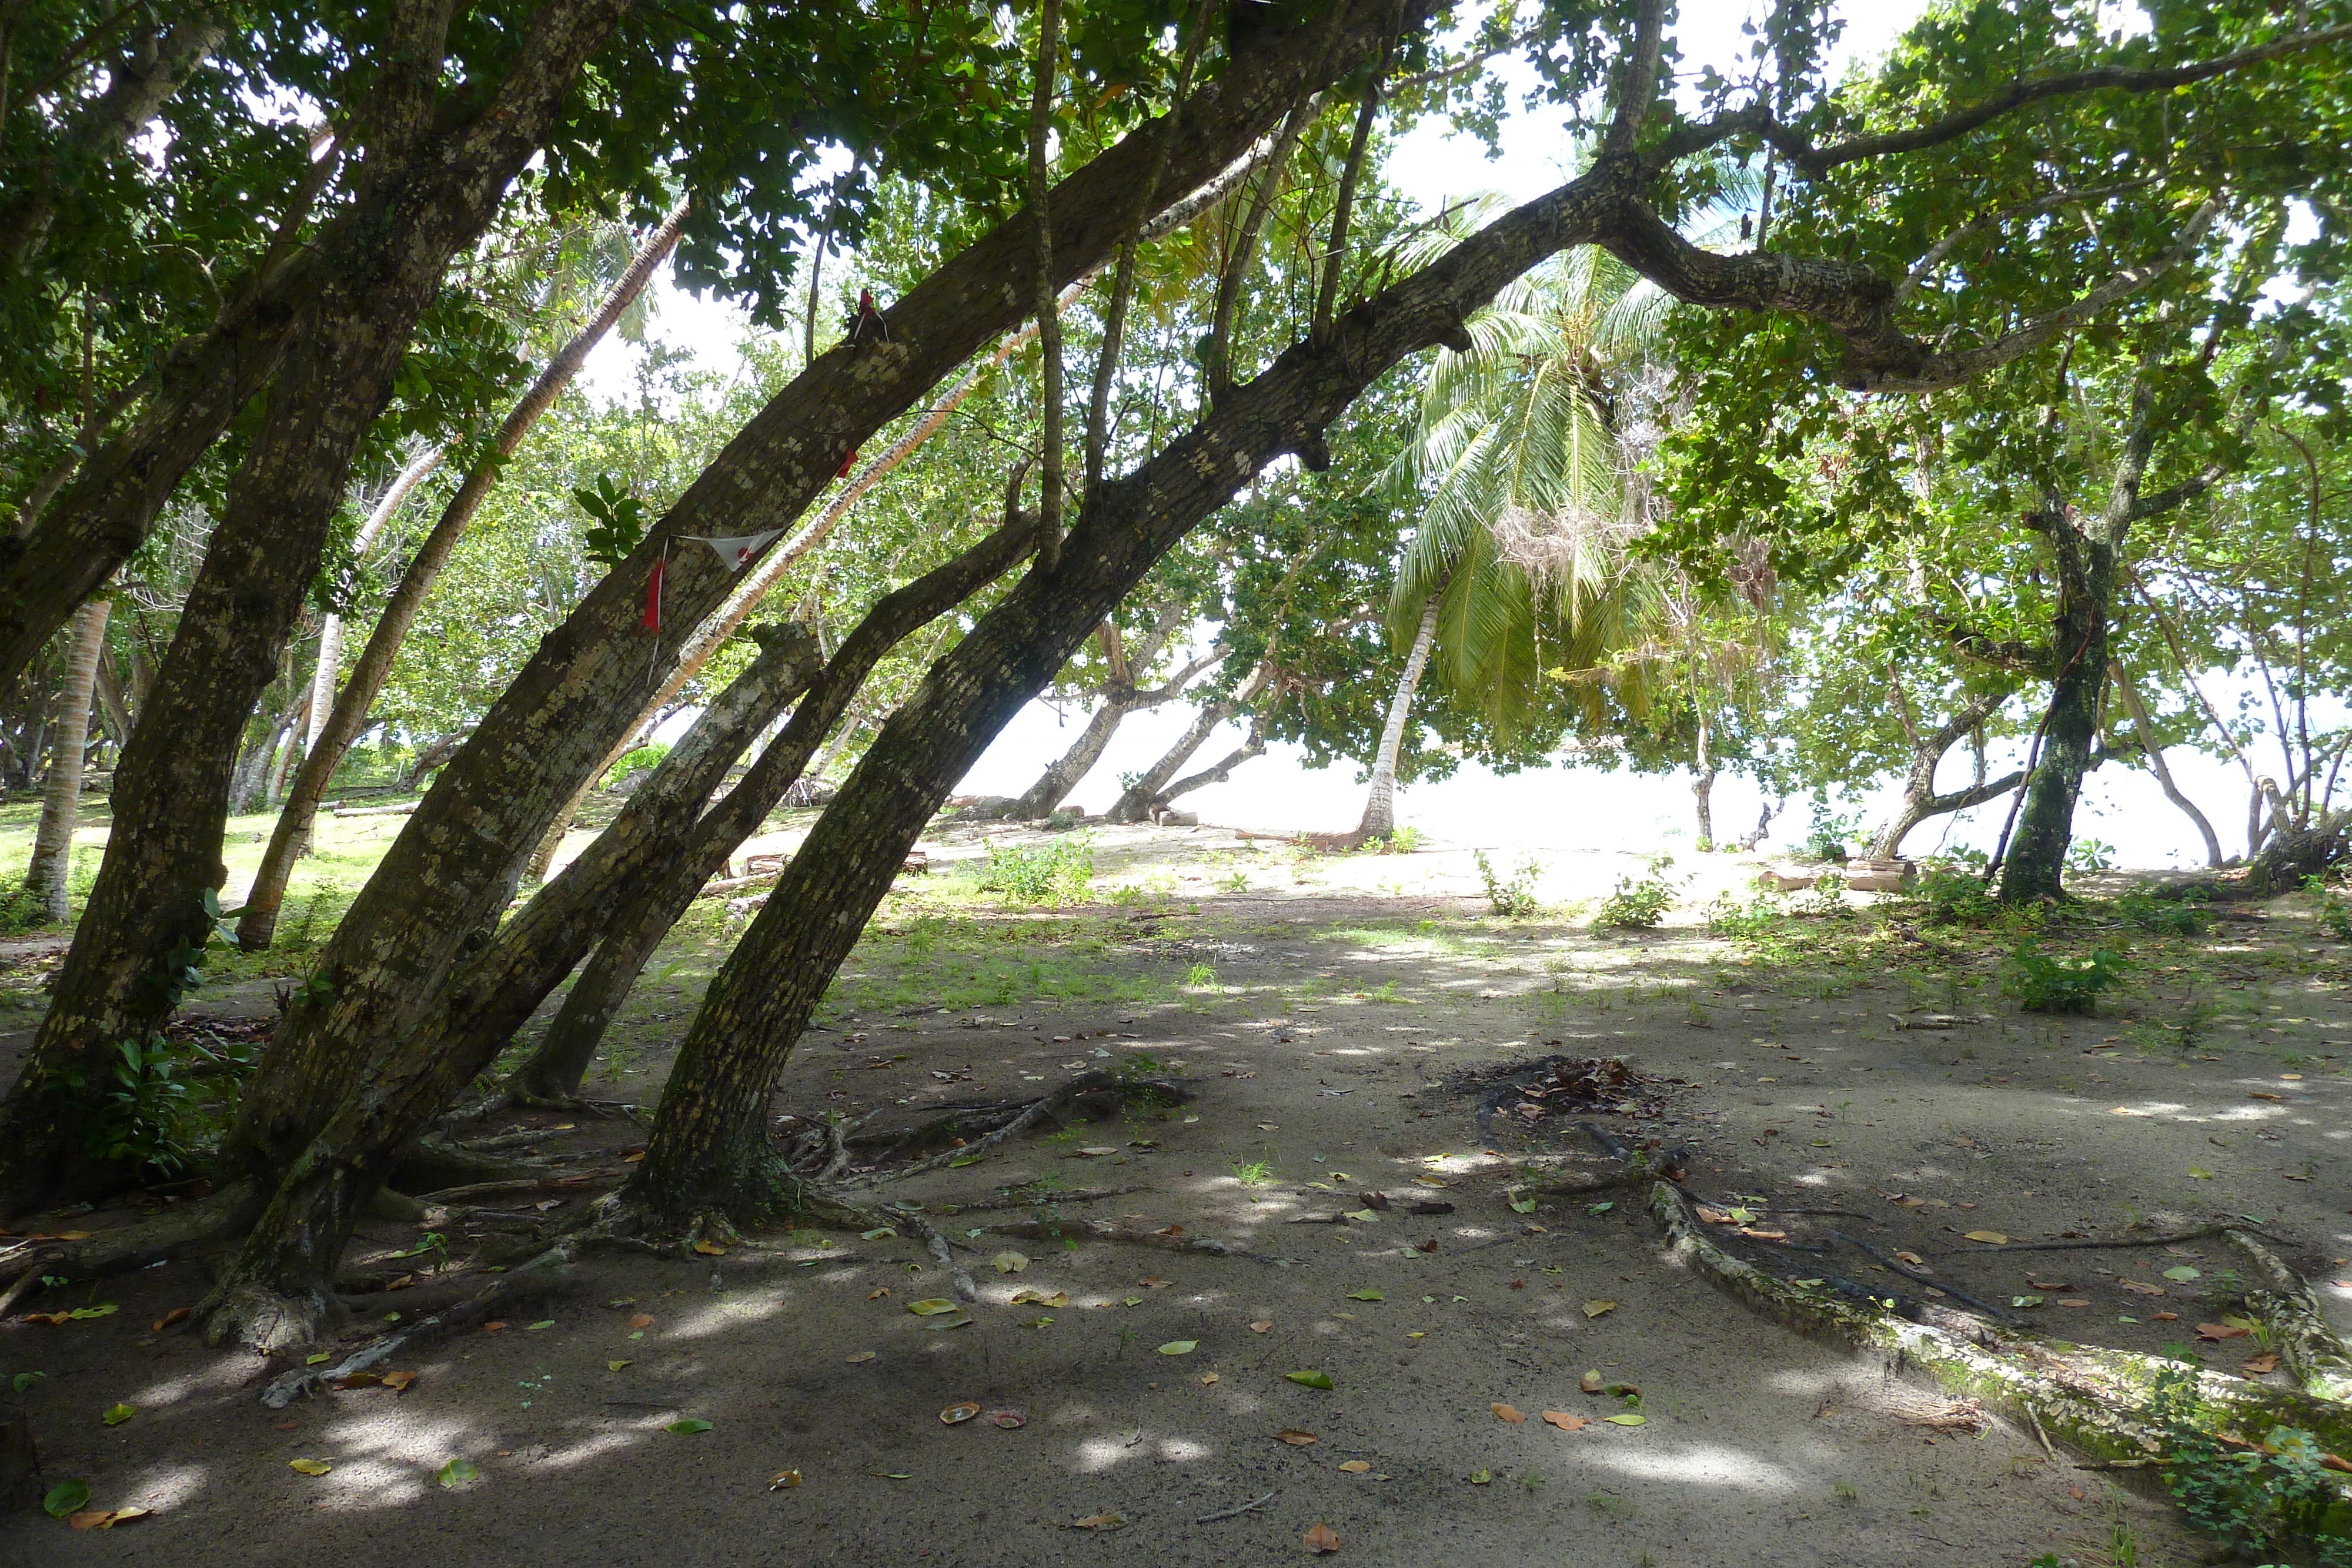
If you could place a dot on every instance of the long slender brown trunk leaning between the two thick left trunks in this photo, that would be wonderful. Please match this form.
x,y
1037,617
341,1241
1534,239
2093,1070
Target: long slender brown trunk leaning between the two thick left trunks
x,y
349,718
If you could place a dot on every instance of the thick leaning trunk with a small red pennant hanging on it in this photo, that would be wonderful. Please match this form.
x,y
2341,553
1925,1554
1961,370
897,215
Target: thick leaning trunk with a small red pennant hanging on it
x,y
443,880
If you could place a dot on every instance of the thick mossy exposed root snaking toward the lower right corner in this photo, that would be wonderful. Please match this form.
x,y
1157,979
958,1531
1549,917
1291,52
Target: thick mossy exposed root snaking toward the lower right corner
x,y
2097,1400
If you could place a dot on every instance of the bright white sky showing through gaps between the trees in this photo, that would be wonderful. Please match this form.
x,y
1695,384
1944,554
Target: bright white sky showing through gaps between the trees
x,y
1565,805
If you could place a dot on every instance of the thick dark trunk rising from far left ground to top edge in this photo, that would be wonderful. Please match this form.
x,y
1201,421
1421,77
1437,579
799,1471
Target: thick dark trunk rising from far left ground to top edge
x,y
147,909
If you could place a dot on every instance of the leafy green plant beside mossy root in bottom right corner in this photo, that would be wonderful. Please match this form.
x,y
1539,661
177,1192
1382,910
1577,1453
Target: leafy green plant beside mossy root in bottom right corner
x,y
2264,1506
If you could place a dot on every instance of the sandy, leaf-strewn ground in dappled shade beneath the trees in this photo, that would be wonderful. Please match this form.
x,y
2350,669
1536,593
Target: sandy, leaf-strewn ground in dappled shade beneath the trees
x,y
1339,1026
